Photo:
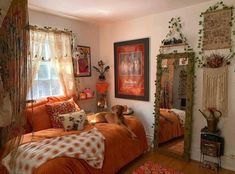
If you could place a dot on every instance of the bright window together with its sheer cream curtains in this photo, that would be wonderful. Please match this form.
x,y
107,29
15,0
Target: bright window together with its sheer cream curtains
x,y
50,65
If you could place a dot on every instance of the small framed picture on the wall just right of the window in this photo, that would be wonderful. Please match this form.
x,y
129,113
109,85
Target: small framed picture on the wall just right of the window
x,y
82,61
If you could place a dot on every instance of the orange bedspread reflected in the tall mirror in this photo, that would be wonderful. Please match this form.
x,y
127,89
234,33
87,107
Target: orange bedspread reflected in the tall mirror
x,y
169,126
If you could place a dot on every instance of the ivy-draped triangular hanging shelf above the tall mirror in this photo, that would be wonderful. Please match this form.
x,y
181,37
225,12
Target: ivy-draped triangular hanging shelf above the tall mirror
x,y
175,36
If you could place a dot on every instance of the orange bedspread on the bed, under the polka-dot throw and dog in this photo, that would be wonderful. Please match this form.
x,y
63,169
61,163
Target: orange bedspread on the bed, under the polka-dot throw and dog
x,y
120,149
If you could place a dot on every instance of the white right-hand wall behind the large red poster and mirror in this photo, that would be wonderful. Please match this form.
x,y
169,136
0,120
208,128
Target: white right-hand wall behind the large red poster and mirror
x,y
156,27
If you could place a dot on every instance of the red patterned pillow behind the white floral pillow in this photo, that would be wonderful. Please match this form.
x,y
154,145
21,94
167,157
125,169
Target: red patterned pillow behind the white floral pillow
x,y
57,108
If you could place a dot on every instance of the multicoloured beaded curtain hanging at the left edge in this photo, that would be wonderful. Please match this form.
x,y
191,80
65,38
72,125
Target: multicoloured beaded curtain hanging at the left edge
x,y
13,63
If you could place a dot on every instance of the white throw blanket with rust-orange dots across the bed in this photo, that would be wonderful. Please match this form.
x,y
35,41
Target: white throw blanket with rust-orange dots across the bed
x,y
88,145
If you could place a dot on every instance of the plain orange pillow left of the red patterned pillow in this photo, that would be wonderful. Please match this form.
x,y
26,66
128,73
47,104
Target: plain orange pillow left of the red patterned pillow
x,y
38,118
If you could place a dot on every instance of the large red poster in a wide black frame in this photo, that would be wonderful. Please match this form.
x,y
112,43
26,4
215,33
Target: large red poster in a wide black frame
x,y
131,60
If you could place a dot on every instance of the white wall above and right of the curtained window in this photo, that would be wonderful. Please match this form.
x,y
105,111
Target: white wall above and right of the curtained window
x,y
87,35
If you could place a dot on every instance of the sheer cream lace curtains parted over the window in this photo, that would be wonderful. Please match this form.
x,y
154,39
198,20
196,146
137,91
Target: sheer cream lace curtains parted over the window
x,y
60,53
